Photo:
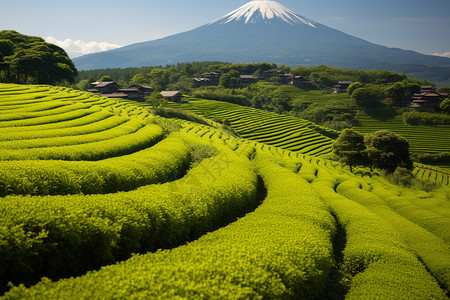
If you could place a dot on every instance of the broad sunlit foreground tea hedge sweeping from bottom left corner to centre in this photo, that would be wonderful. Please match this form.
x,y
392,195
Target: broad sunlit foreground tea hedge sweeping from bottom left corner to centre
x,y
281,250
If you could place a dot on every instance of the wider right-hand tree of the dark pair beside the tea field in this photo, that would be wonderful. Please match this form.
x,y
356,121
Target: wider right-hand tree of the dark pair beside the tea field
x,y
387,150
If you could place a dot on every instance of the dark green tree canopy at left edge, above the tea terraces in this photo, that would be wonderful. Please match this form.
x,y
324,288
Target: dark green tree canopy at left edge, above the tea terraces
x,y
27,59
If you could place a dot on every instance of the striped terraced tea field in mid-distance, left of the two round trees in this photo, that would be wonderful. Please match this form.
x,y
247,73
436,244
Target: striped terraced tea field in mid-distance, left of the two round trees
x,y
270,128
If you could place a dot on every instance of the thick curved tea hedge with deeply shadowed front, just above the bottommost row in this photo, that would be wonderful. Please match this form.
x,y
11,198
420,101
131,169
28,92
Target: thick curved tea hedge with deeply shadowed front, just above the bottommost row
x,y
61,236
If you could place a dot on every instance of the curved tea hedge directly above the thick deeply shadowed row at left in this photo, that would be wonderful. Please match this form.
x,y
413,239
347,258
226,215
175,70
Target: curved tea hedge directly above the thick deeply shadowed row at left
x,y
165,161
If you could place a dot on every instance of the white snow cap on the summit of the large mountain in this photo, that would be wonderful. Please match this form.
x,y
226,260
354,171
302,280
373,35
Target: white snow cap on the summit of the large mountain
x,y
266,12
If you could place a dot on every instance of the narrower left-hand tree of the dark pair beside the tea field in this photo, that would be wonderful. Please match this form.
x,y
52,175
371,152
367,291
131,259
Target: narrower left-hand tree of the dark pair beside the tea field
x,y
350,147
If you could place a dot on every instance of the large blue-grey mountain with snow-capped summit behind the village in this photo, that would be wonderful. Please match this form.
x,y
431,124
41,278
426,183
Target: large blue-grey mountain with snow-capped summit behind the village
x,y
262,31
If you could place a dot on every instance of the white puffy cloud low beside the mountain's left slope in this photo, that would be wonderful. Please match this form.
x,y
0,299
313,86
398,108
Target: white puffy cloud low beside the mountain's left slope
x,y
78,48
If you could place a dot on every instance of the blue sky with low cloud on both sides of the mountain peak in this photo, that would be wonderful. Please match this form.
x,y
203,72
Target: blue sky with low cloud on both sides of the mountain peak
x,y
419,25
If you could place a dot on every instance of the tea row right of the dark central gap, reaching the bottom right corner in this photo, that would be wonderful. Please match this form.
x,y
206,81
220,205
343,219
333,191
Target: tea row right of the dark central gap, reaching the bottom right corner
x,y
376,262
